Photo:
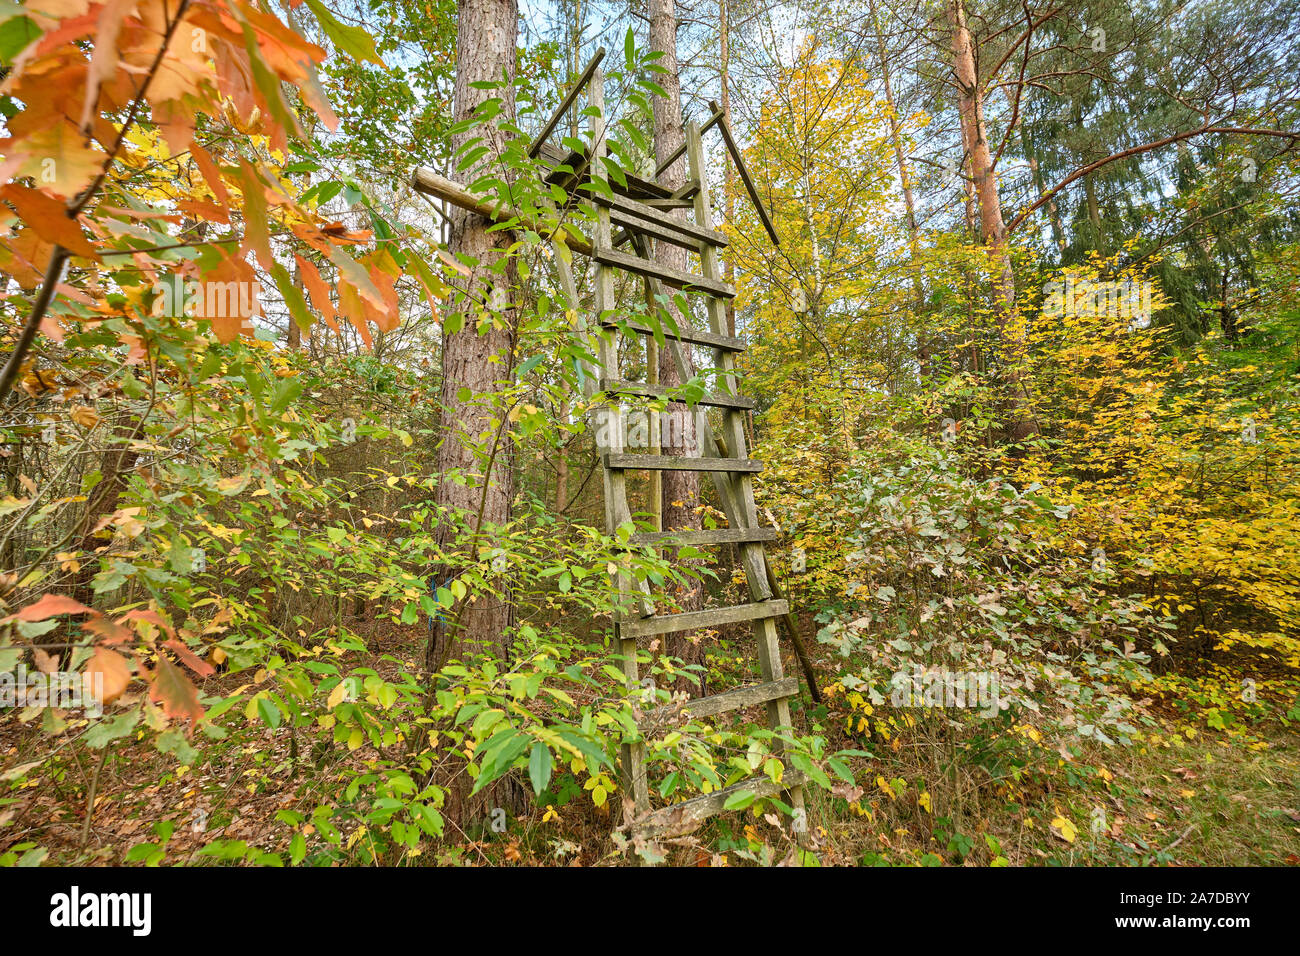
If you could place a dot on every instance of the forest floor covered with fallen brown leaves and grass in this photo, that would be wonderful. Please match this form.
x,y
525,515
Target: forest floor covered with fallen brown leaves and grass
x,y
1178,798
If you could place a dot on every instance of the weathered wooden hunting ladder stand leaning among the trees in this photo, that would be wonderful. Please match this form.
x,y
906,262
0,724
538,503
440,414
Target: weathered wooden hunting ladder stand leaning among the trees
x,y
640,211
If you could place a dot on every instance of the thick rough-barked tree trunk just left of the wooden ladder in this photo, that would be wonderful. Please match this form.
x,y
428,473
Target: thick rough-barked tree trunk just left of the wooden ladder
x,y
475,365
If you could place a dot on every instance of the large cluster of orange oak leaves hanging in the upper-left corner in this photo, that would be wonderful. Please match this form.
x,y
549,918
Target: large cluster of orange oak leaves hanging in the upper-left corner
x,y
110,88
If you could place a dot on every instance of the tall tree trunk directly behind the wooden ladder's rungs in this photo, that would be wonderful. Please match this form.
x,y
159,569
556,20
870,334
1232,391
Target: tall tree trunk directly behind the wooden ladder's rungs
x,y
681,488
